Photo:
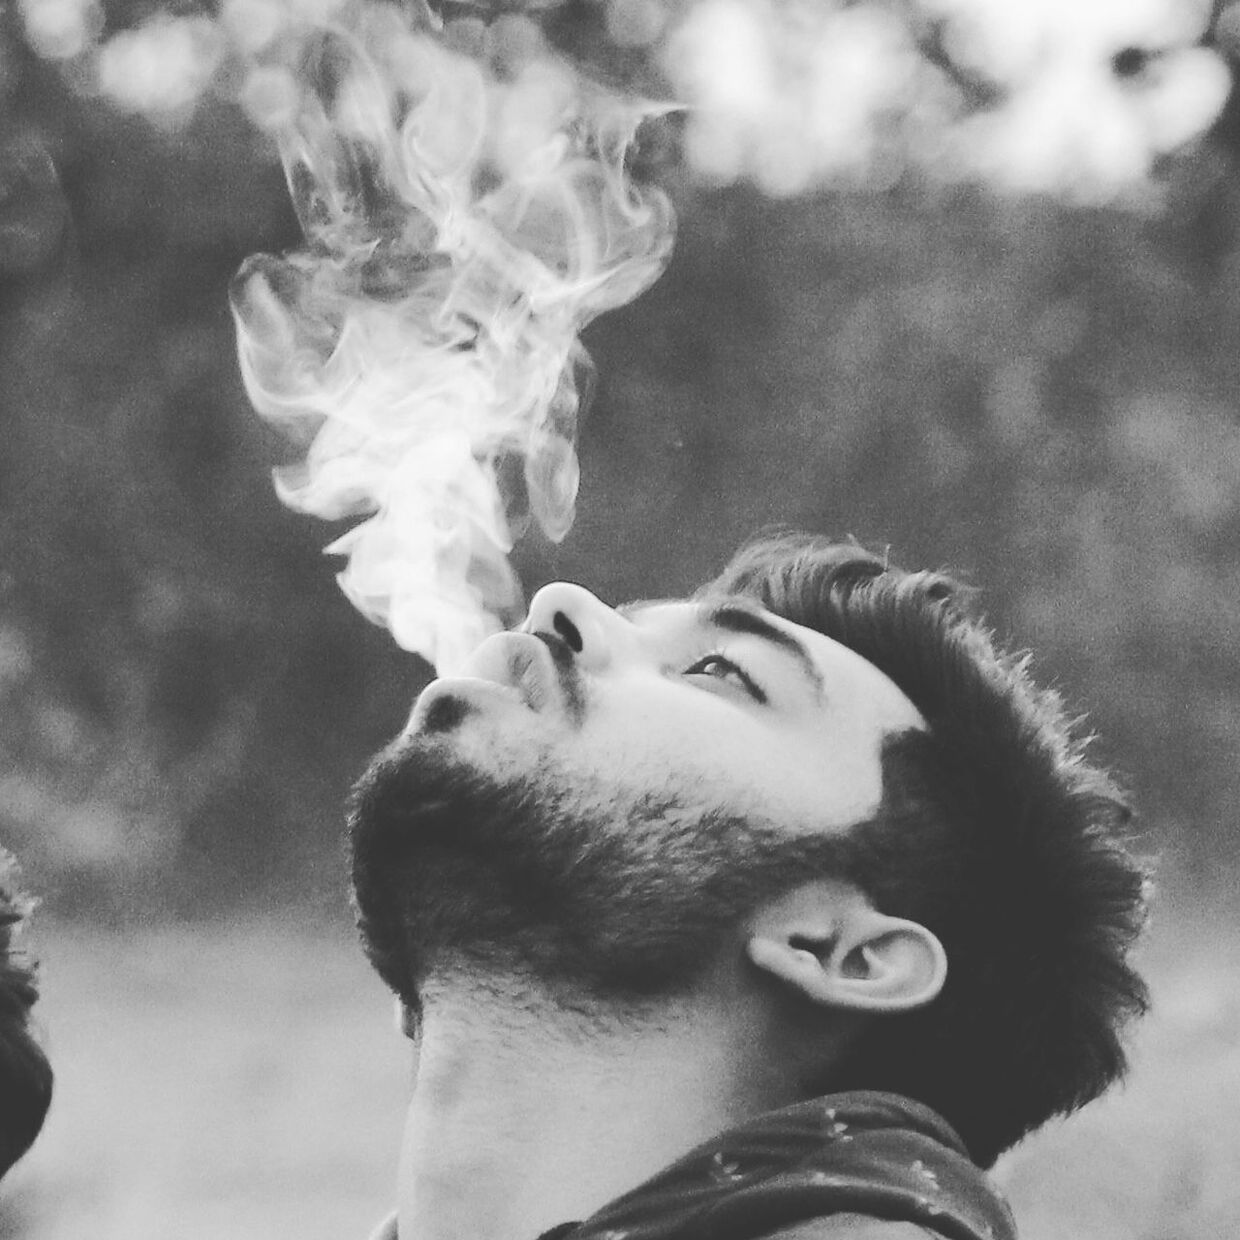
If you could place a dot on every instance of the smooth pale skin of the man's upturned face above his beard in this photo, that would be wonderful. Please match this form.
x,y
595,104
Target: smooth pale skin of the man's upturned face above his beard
x,y
721,702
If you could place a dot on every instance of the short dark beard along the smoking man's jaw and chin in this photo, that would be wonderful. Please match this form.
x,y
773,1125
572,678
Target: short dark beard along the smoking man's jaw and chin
x,y
454,867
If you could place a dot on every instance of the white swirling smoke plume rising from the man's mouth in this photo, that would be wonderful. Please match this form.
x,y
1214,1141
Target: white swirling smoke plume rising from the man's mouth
x,y
463,225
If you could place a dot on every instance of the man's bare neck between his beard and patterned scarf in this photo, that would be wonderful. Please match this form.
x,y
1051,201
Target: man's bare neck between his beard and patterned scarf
x,y
526,1115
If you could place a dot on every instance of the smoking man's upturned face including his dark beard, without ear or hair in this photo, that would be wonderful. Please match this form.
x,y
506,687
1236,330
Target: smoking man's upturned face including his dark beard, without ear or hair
x,y
602,797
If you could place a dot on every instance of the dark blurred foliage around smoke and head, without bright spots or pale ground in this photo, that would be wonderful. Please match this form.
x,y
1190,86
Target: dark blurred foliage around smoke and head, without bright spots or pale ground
x,y
1036,392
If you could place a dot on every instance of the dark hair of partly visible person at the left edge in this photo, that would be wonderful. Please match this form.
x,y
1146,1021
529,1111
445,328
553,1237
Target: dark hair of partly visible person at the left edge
x,y
25,1073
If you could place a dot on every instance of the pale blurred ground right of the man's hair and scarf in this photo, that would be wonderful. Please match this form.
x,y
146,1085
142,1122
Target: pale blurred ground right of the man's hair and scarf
x,y
1159,1160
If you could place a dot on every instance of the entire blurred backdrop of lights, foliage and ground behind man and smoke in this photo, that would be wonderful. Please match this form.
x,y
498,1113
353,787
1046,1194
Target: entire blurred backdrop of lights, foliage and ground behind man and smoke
x,y
955,277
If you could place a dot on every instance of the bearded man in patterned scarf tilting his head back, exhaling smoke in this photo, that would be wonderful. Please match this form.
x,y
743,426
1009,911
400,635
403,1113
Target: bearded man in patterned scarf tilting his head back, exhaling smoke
x,y
774,913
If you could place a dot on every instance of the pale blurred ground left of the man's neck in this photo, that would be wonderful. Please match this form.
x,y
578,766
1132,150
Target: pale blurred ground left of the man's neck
x,y
241,1081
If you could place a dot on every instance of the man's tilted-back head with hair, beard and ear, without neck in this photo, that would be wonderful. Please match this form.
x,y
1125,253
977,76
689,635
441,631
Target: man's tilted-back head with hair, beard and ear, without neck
x,y
819,767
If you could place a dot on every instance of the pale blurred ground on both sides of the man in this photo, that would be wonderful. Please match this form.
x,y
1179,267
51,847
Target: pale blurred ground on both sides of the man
x,y
247,1082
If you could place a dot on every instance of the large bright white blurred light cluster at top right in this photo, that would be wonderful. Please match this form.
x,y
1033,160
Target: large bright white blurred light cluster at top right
x,y
795,96
